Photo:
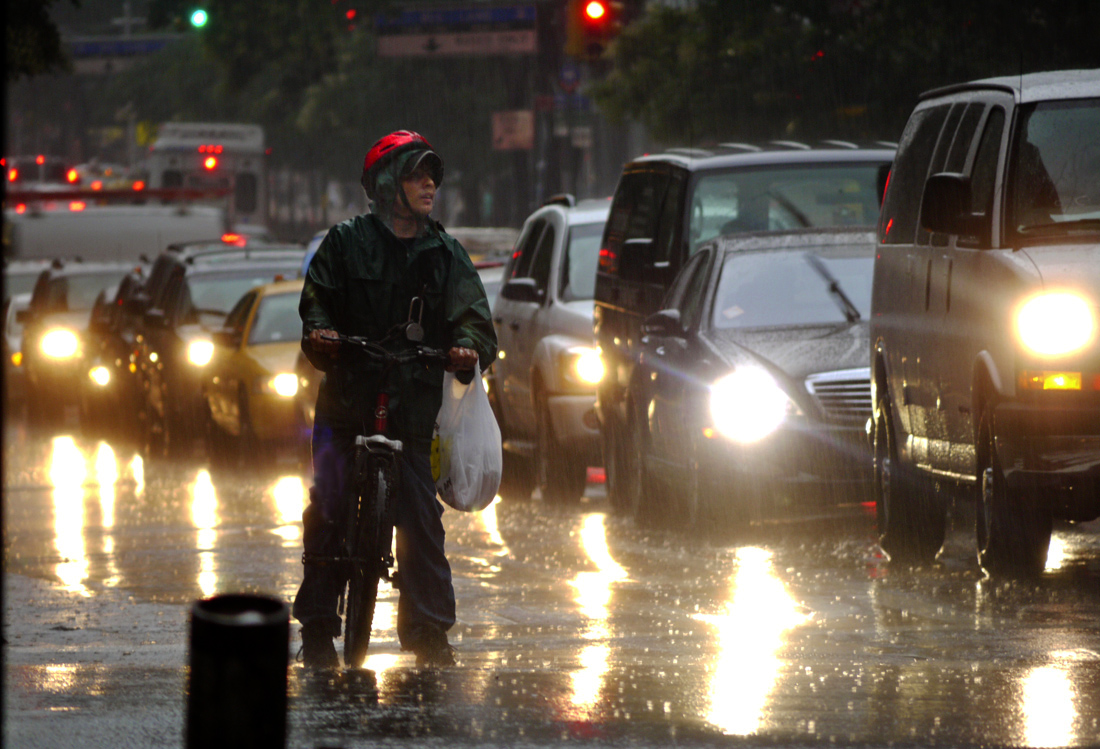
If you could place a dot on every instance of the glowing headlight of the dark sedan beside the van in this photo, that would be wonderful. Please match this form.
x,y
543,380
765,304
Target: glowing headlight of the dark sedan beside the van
x,y
747,405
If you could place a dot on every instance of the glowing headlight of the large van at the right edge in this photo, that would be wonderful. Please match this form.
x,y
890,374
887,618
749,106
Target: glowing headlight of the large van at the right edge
x,y
1055,324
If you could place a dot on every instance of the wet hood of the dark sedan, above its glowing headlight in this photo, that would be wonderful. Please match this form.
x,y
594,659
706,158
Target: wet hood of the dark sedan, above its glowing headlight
x,y
797,353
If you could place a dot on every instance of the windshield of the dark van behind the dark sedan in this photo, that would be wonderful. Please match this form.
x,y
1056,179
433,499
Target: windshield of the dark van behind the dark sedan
x,y
776,200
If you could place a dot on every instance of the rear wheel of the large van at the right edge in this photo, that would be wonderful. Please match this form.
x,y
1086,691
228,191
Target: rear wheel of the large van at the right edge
x,y
912,521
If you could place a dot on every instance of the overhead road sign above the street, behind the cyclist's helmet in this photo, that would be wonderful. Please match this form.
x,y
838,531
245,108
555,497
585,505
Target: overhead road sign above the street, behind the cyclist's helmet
x,y
502,30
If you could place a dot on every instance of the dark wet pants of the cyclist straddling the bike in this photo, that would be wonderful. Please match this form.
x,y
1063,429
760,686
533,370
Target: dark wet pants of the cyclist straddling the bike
x,y
427,596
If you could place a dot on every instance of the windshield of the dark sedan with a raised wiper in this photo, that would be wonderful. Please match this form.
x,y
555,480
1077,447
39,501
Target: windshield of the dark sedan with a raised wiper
x,y
769,290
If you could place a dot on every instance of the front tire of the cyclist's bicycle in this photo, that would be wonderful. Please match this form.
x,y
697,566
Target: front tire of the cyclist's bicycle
x,y
372,534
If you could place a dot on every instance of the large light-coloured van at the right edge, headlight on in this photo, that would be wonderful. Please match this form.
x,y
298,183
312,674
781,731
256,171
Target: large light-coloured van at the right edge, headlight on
x,y
985,348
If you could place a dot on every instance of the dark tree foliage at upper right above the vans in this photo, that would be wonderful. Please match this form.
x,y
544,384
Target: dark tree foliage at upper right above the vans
x,y
739,70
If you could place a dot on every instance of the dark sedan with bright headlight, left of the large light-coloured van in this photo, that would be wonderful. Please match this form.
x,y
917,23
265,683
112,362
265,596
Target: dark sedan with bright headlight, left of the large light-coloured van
x,y
753,389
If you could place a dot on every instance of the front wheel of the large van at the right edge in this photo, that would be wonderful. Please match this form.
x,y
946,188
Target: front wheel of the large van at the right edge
x,y
1014,530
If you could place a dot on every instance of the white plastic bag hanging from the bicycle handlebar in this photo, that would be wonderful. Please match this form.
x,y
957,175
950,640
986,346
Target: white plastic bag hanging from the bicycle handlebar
x,y
466,450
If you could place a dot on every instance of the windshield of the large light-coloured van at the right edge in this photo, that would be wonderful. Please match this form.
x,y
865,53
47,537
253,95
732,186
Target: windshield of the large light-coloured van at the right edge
x,y
1057,168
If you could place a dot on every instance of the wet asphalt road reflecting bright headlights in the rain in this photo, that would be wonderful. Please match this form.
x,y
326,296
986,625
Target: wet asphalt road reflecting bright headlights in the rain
x,y
575,627
